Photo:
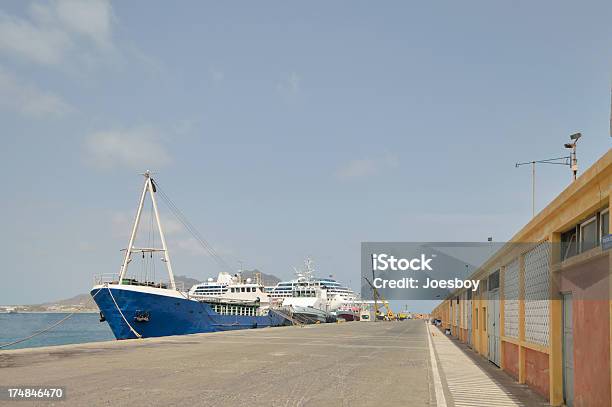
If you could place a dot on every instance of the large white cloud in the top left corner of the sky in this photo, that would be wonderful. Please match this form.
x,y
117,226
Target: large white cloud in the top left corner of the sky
x,y
55,30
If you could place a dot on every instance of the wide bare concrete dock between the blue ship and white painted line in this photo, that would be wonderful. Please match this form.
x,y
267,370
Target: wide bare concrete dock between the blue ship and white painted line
x,y
347,364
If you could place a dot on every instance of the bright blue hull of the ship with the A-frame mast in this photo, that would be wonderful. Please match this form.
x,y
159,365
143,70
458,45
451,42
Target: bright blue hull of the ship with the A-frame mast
x,y
153,312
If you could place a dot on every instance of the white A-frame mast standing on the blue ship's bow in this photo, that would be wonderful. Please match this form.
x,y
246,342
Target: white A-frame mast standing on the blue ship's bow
x,y
149,186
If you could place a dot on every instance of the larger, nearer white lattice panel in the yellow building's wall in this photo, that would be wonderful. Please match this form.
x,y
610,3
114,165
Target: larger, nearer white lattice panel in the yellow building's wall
x,y
537,288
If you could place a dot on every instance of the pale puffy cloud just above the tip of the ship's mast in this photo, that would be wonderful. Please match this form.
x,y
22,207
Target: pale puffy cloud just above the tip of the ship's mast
x,y
138,148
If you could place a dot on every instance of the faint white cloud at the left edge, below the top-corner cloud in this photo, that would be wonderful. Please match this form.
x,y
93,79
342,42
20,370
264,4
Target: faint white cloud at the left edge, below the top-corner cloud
x,y
28,100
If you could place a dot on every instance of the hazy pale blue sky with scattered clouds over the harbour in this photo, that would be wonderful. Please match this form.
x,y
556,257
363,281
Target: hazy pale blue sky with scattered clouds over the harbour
x,y
285,130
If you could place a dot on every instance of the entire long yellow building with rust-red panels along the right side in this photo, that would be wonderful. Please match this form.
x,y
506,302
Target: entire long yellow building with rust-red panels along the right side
x,y
542,312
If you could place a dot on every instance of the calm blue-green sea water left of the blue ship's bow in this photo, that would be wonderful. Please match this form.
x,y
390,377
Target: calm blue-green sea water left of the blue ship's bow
x,y
77,329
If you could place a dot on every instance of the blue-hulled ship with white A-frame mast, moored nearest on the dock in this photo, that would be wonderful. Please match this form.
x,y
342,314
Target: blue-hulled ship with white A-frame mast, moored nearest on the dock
x,y
141,308
